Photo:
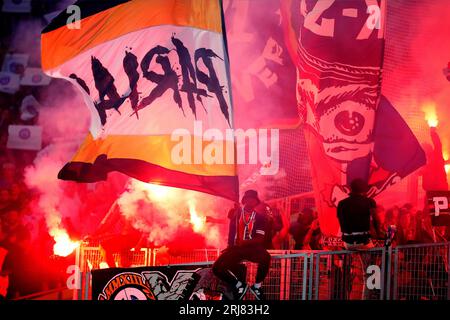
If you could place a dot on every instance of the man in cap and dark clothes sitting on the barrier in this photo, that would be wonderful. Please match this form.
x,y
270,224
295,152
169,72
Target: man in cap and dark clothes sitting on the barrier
x,y
248,230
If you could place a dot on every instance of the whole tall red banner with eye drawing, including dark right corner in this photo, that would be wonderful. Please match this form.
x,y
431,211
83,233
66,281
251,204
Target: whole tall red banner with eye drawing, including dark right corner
x,y
351,131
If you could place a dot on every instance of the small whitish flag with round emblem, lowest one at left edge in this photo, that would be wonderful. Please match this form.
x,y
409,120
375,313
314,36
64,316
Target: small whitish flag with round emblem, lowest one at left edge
x,y
24,137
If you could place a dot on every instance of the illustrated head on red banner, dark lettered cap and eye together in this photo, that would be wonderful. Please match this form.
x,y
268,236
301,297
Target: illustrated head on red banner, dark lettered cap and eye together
x,y
340,50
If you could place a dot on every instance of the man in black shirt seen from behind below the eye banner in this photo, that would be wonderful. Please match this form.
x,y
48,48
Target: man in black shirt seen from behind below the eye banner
x,y
355,214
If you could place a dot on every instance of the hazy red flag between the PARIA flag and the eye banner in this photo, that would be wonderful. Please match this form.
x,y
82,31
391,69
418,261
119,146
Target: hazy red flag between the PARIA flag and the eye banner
x,y
262,71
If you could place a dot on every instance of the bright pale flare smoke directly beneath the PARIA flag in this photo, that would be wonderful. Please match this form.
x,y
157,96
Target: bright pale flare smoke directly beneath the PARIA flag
x,y
173,217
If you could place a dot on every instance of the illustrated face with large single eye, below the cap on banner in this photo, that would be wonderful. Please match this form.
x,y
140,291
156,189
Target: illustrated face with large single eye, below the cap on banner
x,y
343,115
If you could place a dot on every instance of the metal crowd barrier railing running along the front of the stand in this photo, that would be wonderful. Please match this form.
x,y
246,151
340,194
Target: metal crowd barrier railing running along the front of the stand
x,y
404,272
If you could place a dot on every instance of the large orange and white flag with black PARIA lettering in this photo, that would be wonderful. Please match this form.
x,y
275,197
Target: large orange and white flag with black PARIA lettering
x,y
153,74
